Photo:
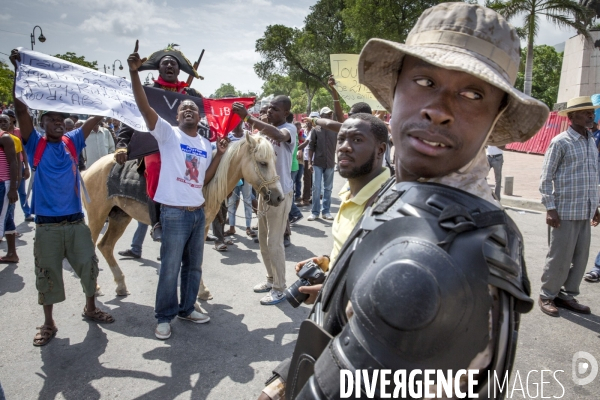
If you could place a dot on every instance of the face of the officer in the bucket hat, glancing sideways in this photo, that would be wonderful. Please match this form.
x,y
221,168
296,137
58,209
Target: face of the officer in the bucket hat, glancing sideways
x,y
440,119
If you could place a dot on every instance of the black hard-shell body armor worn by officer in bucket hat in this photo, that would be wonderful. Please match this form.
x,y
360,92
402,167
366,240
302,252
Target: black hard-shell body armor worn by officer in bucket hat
x,y
426,270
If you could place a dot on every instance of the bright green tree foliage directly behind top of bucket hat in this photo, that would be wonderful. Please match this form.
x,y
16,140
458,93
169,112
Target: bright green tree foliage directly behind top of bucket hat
x,y
385,19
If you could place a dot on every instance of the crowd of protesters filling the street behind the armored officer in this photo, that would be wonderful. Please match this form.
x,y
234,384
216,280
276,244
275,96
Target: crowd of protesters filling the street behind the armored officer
x,y
308,152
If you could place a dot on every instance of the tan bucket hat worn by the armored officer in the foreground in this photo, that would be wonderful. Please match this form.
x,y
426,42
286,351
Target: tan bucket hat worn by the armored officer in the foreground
x,y
462,37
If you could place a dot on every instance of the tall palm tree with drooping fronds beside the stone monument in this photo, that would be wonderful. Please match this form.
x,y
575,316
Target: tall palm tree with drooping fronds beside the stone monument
x,y
562,13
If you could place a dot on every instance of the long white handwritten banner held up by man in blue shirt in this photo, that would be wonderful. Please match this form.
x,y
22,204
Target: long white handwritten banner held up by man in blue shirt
x,y
49,83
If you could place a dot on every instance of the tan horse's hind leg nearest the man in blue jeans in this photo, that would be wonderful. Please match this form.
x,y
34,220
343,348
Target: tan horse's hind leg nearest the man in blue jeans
x,y
117,223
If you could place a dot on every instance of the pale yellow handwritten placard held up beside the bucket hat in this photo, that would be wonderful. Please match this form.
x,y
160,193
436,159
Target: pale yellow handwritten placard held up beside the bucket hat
x,y
344,68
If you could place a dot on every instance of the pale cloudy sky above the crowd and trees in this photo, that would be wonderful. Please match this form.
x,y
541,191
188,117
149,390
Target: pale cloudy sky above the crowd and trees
x,y
106,30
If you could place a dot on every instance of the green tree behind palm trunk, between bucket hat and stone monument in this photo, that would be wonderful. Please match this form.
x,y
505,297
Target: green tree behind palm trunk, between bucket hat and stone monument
x,y
545,74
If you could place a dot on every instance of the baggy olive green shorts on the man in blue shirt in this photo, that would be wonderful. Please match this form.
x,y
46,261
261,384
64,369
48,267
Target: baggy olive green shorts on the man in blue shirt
x,y
53,243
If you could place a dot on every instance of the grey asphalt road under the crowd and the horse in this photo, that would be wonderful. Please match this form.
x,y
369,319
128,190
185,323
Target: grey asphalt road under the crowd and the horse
x,y
232,356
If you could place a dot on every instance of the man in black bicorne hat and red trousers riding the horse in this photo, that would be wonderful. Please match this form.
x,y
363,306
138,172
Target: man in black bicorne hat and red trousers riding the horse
x,y
169,62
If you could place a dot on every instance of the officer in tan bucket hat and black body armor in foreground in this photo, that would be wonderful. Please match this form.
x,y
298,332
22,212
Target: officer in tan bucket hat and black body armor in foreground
x,y
433,276
